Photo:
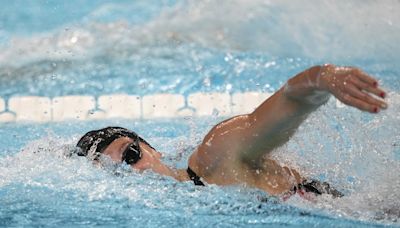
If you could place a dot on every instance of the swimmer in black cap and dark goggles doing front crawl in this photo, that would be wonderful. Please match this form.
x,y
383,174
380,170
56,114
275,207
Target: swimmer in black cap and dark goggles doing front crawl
x,y
237,150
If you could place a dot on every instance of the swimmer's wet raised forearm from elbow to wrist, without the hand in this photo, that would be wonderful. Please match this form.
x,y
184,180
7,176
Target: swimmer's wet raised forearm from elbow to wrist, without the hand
x,y
277,118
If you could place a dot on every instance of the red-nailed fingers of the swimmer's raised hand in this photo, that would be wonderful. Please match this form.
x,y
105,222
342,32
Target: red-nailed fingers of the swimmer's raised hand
x,y
374,104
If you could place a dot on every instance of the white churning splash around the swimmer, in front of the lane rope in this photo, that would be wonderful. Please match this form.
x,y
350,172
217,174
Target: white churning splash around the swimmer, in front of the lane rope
x,y
363,165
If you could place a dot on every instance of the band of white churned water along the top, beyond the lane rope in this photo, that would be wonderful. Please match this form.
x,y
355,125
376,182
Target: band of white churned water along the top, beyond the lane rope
x,y
313,29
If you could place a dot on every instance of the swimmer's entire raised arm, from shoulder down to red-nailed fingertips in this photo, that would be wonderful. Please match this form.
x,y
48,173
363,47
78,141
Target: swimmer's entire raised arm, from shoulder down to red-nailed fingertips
x,y
247,138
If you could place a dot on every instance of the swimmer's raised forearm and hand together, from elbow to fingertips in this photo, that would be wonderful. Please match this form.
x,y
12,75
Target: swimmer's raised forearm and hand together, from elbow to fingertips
x,y
277,118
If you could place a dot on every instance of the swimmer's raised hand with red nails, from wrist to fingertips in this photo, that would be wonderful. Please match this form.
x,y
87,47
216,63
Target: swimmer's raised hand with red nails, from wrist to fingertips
x,y
352,86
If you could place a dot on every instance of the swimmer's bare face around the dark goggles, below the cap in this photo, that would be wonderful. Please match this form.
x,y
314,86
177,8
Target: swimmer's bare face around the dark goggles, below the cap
x,y
150,158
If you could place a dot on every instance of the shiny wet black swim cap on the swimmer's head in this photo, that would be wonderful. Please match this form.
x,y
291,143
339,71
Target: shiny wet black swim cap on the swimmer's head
x,y
93,143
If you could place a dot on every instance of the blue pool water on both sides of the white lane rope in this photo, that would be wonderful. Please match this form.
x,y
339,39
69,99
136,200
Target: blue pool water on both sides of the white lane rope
x,y
49,48
